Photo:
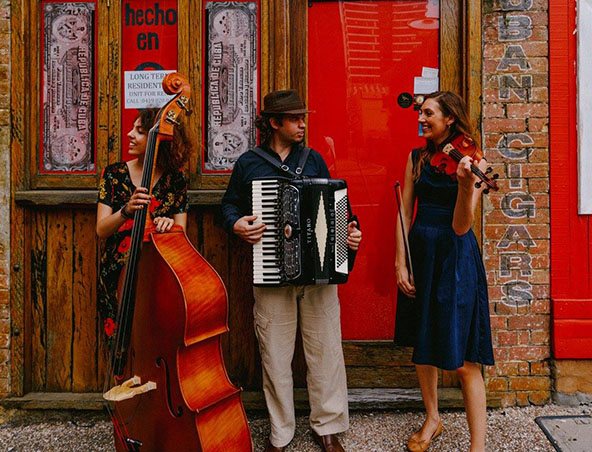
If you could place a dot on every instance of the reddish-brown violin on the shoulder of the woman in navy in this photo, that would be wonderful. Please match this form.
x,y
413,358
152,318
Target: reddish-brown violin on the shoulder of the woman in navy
x,y
452,151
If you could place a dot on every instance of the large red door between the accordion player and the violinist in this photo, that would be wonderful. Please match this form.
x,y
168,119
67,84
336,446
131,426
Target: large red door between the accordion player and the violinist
x,y
364,58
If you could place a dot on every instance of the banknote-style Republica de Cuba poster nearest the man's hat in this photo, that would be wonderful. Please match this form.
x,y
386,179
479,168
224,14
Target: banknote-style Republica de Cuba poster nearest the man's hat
x,y
231,83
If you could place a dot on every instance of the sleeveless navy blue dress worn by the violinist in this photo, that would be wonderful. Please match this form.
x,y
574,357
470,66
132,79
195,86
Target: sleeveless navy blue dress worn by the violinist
x,y
448,321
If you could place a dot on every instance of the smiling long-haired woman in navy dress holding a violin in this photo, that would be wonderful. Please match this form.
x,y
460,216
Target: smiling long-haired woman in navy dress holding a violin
x,y
447,297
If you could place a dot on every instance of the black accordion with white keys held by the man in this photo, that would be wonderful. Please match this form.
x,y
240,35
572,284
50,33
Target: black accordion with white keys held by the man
x,y
305,239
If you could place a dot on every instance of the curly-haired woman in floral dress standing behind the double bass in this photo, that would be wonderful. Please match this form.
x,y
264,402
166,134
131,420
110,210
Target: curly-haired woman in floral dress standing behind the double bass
x,y
120,196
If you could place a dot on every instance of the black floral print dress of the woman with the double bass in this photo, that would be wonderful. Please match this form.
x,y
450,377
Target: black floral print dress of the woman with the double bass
x,y
115,189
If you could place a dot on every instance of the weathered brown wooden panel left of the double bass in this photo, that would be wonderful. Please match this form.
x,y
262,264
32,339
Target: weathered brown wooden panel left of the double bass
x,y
64,337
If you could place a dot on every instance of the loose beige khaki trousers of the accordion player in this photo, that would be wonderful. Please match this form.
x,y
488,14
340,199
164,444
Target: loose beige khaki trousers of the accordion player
x,y
278,311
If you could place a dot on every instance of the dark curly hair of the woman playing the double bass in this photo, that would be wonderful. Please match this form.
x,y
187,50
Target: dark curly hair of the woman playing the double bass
x,y
171,155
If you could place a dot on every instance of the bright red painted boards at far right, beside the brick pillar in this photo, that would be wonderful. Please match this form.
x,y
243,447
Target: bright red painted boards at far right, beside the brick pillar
x,y
571,235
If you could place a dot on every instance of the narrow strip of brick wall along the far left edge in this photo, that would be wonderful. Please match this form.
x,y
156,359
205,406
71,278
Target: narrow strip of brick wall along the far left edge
x,y
4,195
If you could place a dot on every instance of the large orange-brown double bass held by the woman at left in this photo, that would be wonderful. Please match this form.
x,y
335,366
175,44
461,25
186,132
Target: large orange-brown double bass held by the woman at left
x,y
167,389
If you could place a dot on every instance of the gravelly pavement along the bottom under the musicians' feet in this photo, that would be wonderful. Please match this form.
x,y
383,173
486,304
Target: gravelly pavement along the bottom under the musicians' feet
x,y
509,429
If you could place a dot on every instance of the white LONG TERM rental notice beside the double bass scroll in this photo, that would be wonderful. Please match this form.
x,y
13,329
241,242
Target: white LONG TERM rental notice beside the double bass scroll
x,y
143,89
